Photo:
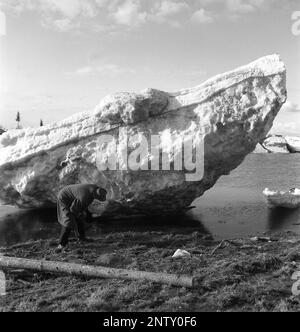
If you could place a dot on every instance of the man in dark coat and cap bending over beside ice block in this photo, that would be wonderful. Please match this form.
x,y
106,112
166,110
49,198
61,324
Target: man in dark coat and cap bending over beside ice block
x,y
72,209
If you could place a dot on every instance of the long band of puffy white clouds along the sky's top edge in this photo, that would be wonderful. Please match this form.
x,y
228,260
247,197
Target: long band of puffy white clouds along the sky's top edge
x,y
102,15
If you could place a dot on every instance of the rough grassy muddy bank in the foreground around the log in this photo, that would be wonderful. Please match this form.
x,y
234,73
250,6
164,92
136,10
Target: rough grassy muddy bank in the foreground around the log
x,y
239,275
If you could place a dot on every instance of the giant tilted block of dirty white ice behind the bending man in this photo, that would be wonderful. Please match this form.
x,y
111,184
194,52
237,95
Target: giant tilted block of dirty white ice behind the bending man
x,y
230,114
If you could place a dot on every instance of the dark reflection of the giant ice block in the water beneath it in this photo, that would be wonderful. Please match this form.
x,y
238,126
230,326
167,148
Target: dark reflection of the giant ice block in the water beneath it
x,y
24,226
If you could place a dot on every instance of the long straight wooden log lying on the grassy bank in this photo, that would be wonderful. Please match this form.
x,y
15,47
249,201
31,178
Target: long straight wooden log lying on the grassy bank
x,y
94,271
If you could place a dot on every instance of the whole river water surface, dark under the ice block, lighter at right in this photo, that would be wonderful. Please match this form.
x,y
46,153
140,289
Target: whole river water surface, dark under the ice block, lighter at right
x,y
235,207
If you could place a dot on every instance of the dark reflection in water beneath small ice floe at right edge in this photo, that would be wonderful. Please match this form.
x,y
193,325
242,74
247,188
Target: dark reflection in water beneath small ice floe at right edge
x,y
279,218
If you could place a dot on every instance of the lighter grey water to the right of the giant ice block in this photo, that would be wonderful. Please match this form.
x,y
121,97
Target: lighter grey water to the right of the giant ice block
x,y
236,207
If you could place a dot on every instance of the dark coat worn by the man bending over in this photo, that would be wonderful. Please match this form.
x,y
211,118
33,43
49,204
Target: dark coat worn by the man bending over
x,y
72,201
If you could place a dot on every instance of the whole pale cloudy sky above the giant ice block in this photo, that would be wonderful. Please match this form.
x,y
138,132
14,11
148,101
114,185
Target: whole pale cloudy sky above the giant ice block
x,y
60,57
